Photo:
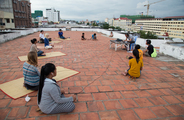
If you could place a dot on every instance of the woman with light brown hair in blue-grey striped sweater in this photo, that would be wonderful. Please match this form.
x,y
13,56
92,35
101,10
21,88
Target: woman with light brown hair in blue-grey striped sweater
x,y
30,72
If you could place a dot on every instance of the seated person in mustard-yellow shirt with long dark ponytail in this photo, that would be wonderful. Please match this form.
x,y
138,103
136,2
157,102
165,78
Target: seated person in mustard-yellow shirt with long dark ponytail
x,y
135,65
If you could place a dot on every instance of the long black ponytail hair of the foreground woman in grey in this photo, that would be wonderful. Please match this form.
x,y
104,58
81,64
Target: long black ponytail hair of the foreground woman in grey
x,y
45,71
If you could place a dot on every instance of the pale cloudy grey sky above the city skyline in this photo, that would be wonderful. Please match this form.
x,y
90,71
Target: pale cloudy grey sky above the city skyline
x,y
101,9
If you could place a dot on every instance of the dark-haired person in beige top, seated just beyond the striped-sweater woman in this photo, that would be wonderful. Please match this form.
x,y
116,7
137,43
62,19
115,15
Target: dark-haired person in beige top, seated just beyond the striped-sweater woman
x,y
35,49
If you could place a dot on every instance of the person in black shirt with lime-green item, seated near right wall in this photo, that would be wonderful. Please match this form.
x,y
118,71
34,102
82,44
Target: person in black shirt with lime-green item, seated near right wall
x,y
151,51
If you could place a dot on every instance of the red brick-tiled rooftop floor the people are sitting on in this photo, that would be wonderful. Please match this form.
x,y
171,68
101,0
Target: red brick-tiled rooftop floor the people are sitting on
x,y
157,94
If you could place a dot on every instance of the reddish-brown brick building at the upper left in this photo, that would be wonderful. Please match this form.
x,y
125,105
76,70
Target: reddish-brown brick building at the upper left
x,y
22,13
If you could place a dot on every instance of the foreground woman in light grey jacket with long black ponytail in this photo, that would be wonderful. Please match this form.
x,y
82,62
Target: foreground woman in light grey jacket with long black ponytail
x,y
51,99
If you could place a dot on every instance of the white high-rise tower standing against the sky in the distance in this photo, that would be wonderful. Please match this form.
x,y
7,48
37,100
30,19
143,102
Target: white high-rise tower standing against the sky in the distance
x,y
53,15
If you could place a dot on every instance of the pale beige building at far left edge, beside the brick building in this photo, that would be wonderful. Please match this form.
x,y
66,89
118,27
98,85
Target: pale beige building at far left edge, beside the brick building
x,y
6,14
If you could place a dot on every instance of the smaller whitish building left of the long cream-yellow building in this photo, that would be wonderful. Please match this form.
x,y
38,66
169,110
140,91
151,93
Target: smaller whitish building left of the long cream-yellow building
x,y
123,23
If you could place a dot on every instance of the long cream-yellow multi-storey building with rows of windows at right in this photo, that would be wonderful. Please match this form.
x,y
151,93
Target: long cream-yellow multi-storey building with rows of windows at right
x,y
174,26
